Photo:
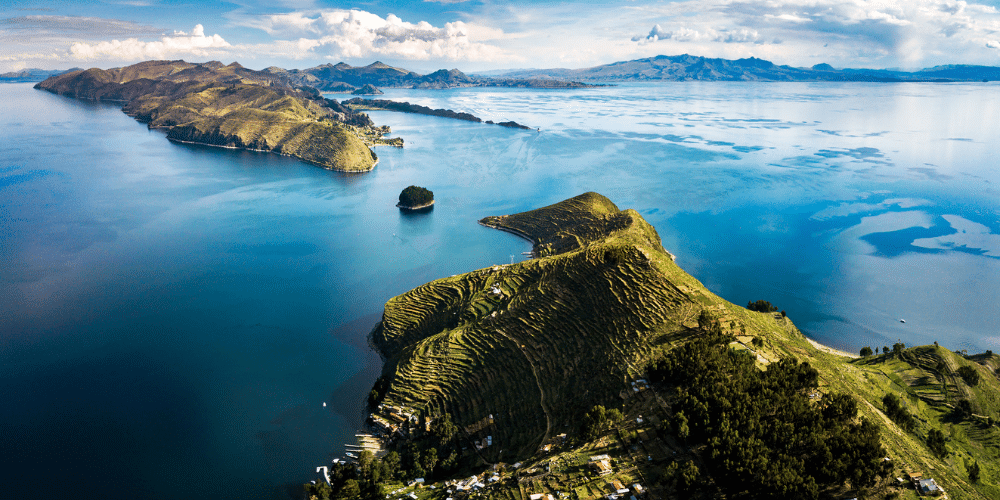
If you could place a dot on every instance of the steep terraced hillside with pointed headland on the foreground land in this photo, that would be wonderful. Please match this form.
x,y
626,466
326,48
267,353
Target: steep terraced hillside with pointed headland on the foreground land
x,y
536,344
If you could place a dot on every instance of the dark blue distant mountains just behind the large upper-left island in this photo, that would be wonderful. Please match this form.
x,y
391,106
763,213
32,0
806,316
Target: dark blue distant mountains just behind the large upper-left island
x,y
342,77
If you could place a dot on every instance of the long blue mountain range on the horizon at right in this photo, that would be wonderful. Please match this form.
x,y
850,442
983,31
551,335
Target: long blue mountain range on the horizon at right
x,y
696,68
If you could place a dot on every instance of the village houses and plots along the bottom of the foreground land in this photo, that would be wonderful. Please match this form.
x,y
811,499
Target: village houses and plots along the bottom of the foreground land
x,y
628,463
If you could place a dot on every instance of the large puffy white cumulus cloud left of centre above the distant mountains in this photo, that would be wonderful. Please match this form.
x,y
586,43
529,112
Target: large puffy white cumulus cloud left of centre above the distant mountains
x,y
343,34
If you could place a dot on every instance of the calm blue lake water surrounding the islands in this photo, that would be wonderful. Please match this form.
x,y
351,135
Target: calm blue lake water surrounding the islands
x,y
173,317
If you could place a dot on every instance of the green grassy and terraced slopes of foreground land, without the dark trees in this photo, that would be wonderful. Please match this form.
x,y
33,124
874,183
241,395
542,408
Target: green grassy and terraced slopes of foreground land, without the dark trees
x,y
572,329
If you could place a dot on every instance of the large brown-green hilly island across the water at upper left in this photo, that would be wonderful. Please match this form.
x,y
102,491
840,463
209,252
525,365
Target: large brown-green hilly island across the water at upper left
x,y
233,107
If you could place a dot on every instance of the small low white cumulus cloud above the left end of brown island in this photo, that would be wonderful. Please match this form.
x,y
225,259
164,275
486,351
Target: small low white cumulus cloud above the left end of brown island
x,y
180,44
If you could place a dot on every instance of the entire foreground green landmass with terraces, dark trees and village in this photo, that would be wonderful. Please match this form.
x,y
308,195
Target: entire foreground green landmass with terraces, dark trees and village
x,y
601,368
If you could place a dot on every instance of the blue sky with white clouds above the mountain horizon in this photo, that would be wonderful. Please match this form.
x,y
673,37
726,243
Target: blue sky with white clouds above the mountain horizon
x,y
478,35
